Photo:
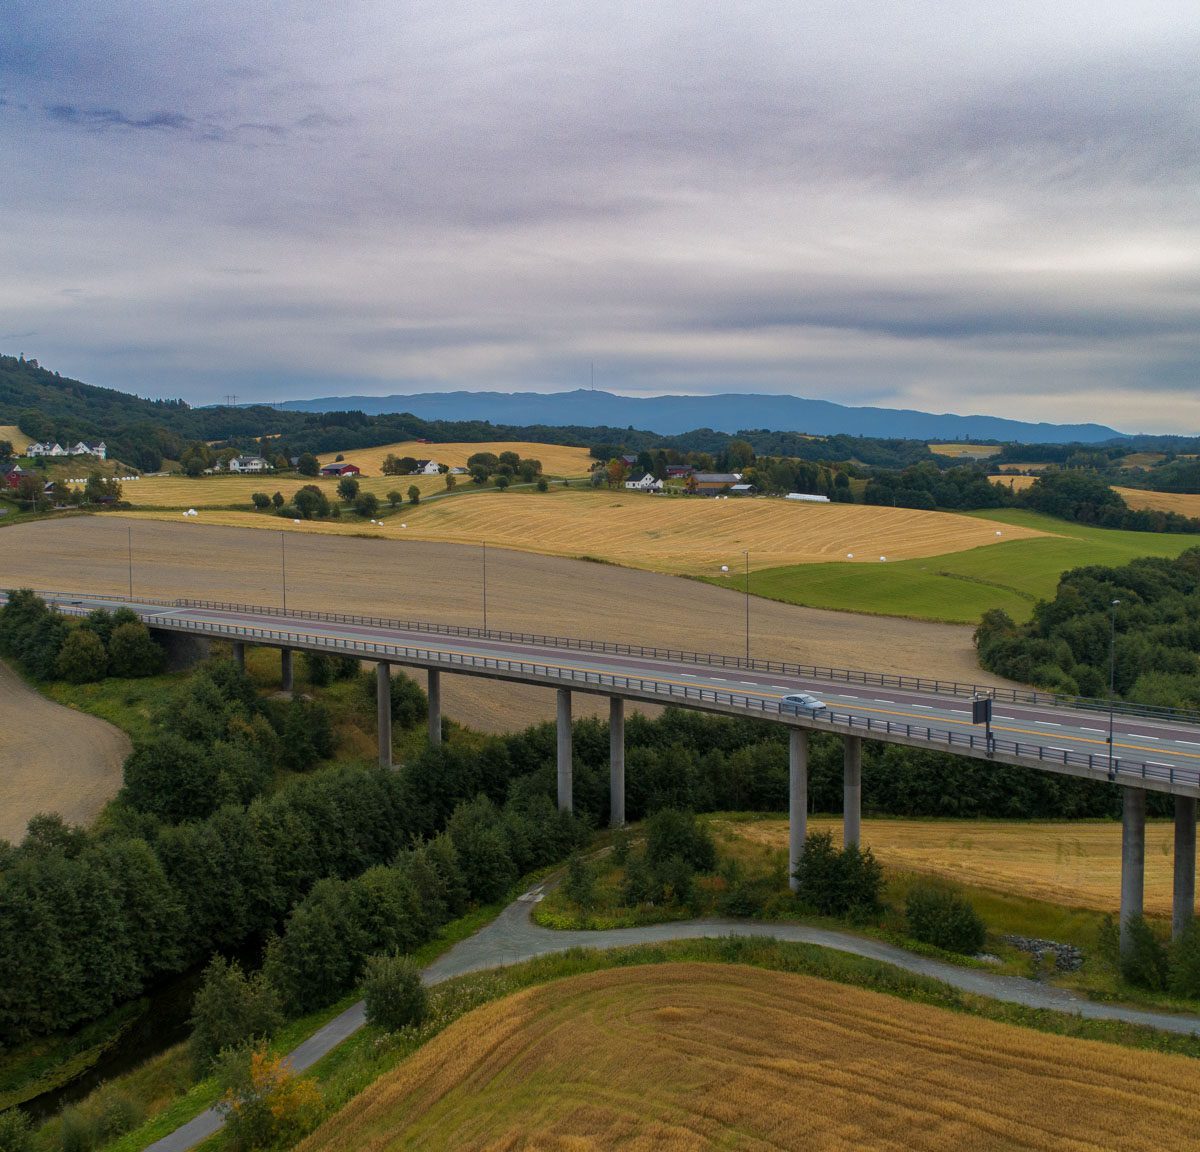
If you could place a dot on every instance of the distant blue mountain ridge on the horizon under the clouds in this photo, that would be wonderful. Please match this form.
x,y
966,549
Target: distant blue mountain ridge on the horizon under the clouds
x,y
729,412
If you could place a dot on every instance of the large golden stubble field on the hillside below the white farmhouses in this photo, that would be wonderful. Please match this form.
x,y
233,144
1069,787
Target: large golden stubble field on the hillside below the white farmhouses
x,y
669,535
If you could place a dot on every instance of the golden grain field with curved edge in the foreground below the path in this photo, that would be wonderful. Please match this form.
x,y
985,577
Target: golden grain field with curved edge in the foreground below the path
x,y
681,1057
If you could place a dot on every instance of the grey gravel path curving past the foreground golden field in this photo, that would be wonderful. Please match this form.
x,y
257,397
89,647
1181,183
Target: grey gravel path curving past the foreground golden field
x,y
513,938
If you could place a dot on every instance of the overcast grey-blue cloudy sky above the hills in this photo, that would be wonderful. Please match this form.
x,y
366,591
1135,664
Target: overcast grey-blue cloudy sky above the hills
x,y
962,207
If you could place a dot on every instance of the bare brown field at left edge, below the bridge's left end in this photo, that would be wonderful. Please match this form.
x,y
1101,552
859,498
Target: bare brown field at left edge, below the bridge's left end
x,y
53,759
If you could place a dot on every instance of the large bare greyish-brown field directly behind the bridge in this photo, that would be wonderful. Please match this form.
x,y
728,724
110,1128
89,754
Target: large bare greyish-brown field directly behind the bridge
x,y
442,583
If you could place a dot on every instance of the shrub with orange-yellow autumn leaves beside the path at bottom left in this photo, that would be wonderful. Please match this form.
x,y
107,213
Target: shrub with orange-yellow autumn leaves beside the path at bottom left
x,y
265,1103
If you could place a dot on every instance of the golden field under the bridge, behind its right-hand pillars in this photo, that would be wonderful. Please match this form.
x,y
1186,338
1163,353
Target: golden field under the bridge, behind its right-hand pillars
x,y
1076,865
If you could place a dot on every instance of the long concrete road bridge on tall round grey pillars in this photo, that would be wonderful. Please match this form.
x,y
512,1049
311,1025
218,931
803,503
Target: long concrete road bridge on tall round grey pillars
x,y
1137,748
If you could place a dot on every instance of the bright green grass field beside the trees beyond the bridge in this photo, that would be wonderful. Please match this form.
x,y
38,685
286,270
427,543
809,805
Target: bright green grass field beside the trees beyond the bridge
x,y
961,587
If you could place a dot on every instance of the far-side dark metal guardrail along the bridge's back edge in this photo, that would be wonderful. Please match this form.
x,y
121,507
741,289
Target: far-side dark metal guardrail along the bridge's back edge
x,y
679,656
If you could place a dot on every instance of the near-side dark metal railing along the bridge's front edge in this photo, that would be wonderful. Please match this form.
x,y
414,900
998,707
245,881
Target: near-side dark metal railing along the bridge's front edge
x,y
665,692
